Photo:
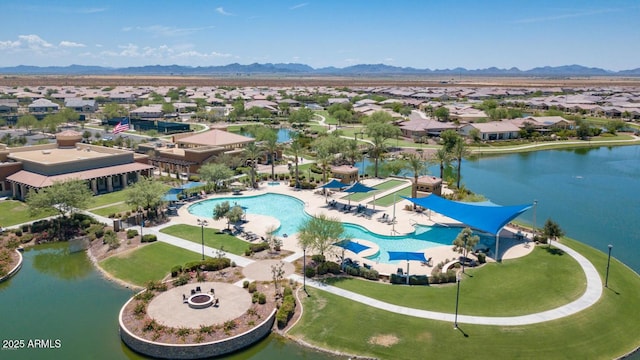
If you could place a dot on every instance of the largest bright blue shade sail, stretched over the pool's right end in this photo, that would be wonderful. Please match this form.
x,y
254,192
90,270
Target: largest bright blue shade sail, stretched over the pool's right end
x,y
488,218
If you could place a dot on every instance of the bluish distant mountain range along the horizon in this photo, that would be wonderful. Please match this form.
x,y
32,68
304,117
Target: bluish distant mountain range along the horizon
x,y
302,69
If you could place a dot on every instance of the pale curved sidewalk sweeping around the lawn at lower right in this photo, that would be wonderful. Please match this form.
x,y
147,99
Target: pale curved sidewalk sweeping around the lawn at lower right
x,y
591,296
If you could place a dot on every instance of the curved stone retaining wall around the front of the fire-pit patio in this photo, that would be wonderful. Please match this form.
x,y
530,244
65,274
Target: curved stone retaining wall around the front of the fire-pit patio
x,y
195,351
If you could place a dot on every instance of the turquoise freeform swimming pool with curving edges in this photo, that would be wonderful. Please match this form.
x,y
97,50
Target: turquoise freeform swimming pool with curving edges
x,y
290,212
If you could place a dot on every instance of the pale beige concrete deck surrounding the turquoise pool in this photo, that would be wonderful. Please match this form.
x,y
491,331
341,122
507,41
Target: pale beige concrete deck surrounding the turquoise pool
x,y
315,203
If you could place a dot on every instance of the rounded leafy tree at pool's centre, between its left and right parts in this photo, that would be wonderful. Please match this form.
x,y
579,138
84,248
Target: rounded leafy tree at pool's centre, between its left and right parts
x,y
319,232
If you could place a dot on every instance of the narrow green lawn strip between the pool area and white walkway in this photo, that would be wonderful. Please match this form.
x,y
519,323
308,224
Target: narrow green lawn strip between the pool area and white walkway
x,y
211,238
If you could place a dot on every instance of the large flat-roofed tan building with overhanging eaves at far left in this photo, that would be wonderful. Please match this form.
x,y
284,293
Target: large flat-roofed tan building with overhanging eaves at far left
x,y
30,168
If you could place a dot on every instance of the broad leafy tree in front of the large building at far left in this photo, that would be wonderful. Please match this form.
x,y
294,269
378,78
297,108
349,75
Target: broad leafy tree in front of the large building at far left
x,y
63,197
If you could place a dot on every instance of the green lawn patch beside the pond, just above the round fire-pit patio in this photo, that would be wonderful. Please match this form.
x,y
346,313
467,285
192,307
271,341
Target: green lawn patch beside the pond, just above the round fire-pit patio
x,y
150,262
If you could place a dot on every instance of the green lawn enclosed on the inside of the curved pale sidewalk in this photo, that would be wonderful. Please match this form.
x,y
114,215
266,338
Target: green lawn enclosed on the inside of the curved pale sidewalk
x,y
558,274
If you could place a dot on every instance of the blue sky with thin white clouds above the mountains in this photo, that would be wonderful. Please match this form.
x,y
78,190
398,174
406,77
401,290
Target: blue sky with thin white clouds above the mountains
x,y
423,34
